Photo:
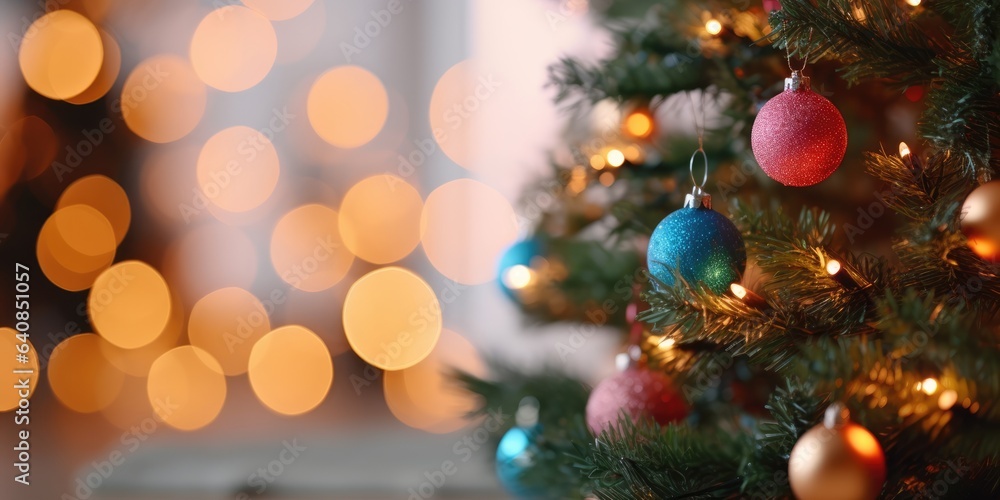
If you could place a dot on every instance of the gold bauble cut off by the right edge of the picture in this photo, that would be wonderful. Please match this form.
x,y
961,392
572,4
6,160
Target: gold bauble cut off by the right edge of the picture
x,y
980,220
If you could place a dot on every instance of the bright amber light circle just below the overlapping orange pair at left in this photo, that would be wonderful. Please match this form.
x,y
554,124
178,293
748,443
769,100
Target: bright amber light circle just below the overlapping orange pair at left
x,y
129,304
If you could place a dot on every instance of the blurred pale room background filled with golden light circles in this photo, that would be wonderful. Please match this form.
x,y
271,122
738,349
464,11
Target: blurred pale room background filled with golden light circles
x,y
259,235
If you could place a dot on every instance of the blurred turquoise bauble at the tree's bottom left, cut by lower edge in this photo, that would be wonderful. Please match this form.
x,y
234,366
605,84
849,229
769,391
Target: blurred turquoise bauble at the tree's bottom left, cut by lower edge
x,y
517,451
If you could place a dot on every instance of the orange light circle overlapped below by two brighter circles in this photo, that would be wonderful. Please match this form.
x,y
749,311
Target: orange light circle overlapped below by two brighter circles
x,y
226,323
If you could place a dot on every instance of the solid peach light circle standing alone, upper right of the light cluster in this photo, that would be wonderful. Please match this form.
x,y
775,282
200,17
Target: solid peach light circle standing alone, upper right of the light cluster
x,y
347,106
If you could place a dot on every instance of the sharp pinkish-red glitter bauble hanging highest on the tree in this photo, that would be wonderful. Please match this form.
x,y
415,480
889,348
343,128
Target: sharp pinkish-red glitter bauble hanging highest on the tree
x,y
799,138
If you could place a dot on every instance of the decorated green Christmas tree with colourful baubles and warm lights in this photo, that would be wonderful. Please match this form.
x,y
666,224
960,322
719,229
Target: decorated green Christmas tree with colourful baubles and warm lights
x,y
786,340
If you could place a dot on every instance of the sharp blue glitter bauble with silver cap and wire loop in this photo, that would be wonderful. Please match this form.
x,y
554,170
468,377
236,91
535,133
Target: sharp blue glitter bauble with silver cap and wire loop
x,y
700,243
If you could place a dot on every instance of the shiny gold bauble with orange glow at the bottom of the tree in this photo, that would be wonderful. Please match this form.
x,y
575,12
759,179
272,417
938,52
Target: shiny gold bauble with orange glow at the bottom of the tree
x,y
836,460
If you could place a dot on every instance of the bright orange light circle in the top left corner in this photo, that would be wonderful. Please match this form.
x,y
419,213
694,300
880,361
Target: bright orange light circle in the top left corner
x,y
61,54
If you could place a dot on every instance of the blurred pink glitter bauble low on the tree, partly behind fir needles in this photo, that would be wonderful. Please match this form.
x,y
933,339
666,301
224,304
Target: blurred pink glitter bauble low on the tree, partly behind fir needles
x,y
640,394
